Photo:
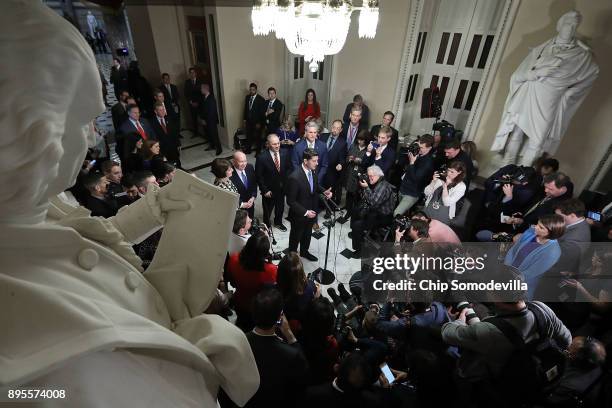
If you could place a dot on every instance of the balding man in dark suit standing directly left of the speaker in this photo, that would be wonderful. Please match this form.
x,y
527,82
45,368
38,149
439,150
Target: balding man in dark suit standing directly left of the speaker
x,y
272,168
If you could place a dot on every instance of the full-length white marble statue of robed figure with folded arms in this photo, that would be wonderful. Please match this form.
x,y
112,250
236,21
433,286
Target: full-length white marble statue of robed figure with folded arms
x,y
545,92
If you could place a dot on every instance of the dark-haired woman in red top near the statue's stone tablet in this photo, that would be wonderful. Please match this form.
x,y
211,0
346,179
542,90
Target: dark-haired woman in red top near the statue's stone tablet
x,y
249,272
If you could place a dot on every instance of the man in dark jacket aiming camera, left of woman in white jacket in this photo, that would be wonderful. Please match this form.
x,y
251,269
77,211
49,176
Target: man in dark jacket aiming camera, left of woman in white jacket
x,y
418,172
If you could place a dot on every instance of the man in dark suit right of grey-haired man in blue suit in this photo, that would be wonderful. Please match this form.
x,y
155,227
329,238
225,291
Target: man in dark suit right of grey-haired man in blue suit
x,y
336,158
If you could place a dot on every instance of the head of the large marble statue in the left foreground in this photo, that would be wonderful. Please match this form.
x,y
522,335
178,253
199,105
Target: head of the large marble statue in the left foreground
x,y
51,92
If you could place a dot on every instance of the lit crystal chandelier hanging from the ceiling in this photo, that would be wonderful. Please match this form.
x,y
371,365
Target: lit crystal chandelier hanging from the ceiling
x,y
313,28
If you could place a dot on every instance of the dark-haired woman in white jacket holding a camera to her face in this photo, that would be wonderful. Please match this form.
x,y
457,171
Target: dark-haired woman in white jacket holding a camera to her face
x,y
445,191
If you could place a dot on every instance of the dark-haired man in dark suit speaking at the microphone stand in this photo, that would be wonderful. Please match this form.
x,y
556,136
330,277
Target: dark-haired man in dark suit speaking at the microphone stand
x,y
303,192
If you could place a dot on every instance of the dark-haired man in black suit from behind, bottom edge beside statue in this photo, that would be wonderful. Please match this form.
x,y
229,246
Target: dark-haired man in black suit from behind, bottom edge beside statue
x,y
282,366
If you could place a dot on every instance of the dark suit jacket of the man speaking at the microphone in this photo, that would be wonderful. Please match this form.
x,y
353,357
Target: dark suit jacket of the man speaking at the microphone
x,y
299,197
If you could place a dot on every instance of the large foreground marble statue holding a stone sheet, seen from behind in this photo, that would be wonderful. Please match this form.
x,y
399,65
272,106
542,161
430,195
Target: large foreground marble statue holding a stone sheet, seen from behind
x,y
77,314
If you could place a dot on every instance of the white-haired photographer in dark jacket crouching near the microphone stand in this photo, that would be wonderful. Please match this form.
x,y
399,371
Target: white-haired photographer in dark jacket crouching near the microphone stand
x,y
375,209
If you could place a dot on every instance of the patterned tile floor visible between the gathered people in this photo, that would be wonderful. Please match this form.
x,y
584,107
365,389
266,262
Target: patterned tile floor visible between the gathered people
x,y
194,156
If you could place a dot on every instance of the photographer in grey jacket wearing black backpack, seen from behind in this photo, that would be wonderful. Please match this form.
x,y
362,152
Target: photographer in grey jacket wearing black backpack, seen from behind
x,y
495,358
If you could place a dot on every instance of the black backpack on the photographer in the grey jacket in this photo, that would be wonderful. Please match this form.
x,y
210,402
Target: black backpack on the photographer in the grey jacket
x,y
533,368
